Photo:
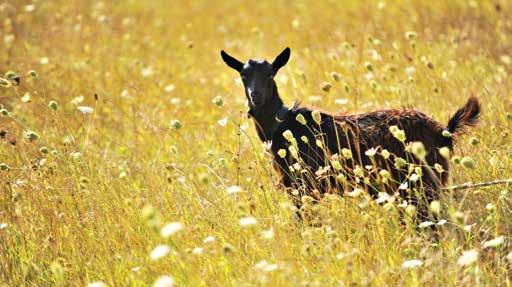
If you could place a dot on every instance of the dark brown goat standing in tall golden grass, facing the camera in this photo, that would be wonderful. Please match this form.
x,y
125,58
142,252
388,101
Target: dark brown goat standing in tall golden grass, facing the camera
x,y
317,152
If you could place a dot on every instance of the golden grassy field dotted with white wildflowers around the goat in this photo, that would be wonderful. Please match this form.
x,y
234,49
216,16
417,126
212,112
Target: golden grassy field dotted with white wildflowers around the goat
x,y
127,156
